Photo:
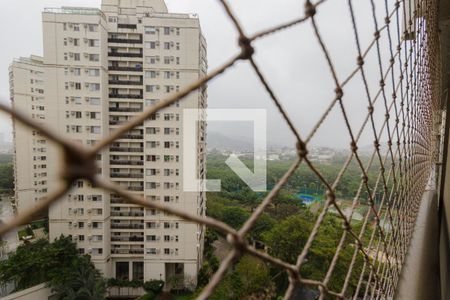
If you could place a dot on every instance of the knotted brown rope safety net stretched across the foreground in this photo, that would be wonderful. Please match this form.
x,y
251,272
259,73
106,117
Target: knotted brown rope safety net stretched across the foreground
x,y
403,149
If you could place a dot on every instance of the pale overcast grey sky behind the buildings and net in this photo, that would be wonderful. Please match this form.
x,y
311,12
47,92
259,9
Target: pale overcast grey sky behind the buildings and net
x,y
291,60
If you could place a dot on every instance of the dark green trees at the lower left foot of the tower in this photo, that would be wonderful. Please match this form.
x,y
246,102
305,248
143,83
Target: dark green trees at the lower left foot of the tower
x,y
69,274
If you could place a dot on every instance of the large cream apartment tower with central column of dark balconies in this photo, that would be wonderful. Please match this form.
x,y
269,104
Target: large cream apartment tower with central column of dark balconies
x,y
102,67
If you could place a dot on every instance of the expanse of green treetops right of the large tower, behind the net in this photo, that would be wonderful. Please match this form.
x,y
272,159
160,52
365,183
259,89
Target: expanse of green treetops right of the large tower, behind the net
x,y
283,228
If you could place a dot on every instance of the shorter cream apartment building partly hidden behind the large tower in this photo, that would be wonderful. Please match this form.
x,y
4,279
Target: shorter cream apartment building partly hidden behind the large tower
x,y
26,80
